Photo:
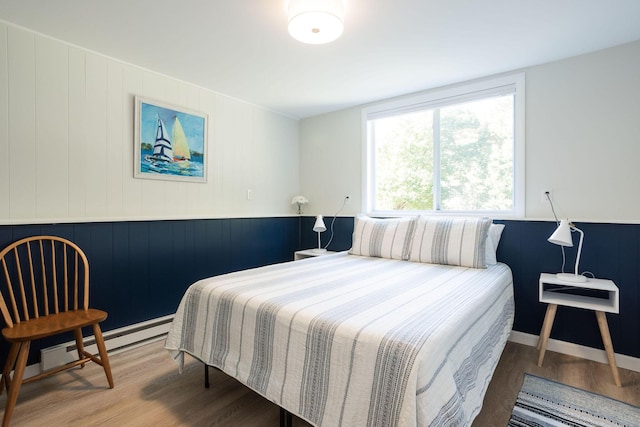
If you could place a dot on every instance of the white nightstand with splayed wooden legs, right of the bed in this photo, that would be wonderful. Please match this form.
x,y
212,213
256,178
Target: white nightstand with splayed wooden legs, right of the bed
x,y
599,295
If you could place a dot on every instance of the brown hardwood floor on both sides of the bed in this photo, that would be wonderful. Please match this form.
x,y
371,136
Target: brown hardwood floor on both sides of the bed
x,y
150,392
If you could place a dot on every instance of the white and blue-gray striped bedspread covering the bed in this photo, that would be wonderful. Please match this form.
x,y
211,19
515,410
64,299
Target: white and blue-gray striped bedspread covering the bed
x,y
344,340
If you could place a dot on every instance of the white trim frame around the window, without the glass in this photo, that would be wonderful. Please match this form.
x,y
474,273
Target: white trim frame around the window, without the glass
x,y
456,93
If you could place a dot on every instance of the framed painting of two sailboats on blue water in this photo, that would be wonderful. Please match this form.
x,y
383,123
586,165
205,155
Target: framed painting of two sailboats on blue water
x,y
170,142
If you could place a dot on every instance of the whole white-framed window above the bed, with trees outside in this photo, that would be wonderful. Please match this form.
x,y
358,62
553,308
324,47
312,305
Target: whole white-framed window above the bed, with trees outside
x,y
454,150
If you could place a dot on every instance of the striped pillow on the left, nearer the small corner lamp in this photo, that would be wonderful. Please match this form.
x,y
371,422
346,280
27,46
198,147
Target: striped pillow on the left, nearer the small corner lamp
x,y
383,238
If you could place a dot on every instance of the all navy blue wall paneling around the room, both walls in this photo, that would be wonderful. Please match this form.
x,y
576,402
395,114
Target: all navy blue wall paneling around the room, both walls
x,y
140,269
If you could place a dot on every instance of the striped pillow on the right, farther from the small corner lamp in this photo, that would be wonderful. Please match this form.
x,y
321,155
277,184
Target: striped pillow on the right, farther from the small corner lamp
x,y
451,241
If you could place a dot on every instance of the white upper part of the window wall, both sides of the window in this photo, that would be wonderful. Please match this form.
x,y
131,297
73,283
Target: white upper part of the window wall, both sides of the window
x,y
582,141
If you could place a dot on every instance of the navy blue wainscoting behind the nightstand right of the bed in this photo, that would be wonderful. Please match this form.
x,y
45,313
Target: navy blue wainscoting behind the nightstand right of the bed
x,y
610,251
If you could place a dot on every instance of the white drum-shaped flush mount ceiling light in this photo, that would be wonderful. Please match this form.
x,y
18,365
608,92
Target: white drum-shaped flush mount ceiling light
x,y
316,21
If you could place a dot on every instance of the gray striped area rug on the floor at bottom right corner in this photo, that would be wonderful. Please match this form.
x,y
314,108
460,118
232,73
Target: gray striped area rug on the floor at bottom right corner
x,y
543,402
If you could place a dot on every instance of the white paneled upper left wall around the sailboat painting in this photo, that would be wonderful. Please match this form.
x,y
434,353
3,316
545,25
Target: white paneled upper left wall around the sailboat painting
x,y
66,142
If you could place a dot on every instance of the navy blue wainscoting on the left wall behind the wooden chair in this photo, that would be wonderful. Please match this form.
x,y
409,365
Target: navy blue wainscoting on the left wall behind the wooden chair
x,y
139,270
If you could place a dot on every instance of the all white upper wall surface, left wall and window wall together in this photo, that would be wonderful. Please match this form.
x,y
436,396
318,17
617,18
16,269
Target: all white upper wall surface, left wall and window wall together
x,y
66,142
